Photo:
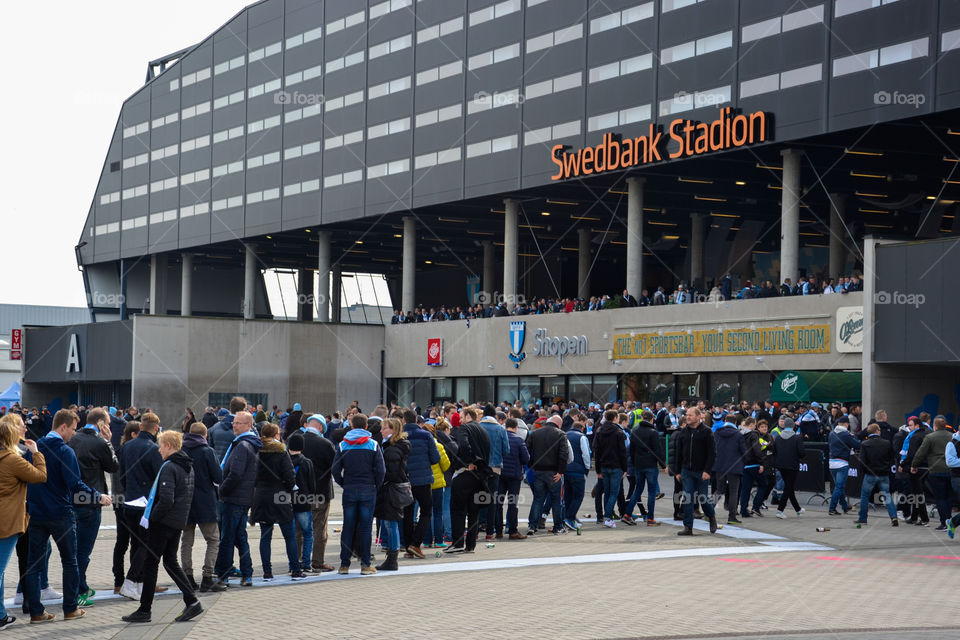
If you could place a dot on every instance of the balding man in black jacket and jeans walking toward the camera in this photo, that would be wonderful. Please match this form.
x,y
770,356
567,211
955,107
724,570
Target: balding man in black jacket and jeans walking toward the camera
x,y
696,454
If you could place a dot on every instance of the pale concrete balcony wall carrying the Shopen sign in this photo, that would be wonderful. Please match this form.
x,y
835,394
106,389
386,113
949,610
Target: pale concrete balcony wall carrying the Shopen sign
x,y
480,347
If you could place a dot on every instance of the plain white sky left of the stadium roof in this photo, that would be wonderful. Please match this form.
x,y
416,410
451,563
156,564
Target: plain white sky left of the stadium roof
x,y
67,67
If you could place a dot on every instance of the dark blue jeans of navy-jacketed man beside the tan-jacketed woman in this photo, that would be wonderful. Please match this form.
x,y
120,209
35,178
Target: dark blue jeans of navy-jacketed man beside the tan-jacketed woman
x,y
64,534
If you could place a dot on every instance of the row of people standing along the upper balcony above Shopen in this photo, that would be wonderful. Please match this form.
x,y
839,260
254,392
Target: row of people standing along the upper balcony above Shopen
x,y
723,290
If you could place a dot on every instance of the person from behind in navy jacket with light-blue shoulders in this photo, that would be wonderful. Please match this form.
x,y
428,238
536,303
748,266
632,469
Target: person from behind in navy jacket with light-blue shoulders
x,y
359,469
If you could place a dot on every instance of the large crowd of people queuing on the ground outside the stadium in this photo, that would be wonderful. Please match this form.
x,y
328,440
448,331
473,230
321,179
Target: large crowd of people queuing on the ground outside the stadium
x,y
413,479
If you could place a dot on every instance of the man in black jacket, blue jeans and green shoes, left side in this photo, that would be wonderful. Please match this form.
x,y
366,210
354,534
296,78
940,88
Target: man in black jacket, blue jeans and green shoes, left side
x,y
96,458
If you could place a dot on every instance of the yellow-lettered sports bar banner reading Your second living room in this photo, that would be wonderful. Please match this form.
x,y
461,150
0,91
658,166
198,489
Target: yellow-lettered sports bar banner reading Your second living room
x,y
759,341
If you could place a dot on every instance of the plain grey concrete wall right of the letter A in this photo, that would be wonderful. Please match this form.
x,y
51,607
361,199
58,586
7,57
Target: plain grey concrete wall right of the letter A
x,y
178,362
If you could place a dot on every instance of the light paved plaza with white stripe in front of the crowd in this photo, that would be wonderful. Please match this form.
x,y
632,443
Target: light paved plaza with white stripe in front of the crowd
x,y
768,578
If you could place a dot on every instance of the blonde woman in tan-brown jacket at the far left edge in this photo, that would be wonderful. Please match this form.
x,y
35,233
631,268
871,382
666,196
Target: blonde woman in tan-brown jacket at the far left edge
x,y
15,473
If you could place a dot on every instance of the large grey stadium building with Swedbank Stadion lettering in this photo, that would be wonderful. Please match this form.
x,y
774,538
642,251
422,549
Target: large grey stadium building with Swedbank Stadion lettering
x,y
548,148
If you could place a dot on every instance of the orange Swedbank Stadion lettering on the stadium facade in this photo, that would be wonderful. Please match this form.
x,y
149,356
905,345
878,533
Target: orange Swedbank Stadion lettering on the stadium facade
x,y
691,138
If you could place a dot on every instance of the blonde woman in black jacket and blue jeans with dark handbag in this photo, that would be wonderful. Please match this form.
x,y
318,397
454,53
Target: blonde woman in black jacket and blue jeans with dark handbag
x,y
396,451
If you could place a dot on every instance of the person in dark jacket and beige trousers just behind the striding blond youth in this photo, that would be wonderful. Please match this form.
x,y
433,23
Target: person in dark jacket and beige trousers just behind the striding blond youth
x,y
203,509
